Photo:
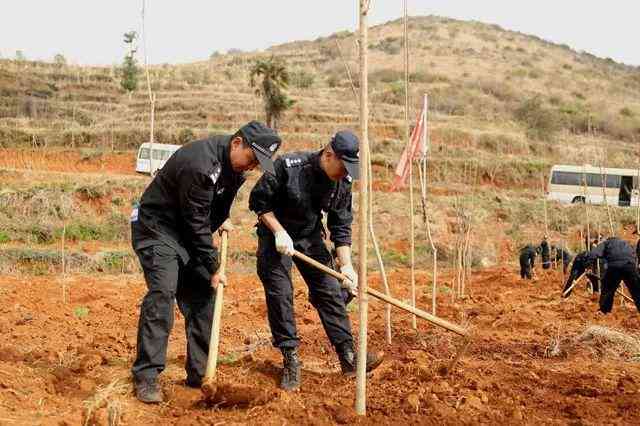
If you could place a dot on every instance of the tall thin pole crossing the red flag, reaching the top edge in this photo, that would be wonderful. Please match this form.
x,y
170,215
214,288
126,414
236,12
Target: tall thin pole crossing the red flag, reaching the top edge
x,y
408,141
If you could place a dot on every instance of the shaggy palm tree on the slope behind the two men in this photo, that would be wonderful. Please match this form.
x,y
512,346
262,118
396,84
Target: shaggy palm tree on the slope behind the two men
x,y
275,79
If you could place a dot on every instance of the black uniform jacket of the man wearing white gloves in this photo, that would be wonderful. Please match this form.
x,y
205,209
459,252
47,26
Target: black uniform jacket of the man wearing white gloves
x,y
299,193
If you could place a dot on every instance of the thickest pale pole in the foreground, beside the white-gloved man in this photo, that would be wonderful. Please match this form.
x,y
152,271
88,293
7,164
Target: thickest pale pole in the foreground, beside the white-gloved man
x,y
361,366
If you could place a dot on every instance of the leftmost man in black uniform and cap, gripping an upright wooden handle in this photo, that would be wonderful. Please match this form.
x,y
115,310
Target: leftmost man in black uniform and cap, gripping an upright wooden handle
x,y
186,202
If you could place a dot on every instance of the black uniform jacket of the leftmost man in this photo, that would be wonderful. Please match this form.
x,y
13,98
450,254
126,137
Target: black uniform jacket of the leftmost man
x,y
188,200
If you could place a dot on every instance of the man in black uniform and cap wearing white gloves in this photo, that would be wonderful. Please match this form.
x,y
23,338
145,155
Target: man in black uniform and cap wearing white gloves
x,y
289,206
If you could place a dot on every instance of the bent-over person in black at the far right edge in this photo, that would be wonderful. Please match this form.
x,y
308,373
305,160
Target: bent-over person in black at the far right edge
x,y
621,266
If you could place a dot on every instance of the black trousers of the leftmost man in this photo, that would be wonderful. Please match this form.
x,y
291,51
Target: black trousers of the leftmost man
x,y
168,280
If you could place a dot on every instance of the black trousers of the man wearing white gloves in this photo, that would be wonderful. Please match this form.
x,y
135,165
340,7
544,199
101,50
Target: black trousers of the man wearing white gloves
x,y
325,292
